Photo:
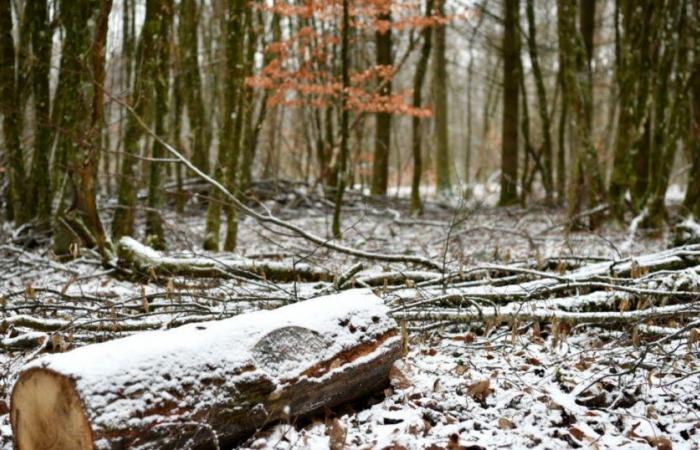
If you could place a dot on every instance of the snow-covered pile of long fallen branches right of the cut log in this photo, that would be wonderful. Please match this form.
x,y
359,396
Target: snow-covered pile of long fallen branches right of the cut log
x,y
641,291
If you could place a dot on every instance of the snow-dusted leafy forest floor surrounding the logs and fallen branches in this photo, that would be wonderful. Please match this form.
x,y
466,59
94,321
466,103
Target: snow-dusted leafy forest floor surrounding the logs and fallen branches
x,y
458,386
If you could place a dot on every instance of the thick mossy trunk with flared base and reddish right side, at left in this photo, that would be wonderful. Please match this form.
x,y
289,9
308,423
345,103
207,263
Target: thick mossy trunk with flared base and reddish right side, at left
x,y
77,221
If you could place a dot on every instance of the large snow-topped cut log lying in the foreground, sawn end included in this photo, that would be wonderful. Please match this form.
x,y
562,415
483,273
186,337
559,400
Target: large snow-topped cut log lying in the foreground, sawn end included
x,y
209,384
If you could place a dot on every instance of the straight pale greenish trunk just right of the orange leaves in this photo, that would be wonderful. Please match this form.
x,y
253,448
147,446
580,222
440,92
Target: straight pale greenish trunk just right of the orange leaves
x,y
440,93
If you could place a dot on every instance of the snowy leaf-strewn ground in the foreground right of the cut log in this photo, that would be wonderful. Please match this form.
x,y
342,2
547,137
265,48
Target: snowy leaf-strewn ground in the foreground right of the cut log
x,y
519,390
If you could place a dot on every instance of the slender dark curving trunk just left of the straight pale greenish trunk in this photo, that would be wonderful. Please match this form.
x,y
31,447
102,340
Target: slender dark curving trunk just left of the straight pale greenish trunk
x,y
417,135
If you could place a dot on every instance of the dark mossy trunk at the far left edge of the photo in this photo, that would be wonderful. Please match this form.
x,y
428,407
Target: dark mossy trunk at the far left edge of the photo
x,y
9,107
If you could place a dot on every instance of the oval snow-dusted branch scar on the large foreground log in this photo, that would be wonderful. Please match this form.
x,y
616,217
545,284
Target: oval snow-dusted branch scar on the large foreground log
x,y
285,349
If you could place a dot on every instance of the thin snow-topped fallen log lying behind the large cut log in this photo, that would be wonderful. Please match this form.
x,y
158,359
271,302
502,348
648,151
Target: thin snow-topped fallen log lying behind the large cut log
x,y
154,264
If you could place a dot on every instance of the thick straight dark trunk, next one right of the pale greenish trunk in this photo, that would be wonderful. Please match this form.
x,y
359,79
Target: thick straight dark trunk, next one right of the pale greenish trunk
x,y
511,92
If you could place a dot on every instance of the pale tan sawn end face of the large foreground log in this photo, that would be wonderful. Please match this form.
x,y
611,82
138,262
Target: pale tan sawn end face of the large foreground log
x,y
47,413
